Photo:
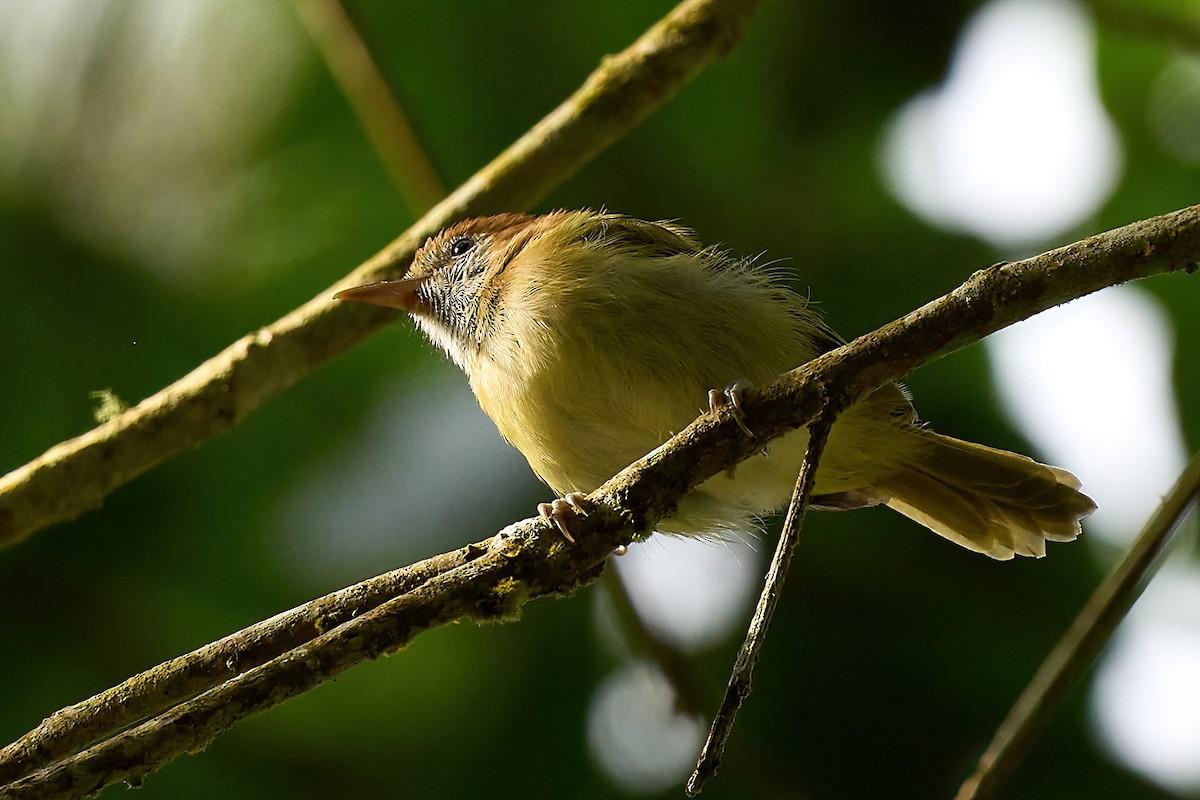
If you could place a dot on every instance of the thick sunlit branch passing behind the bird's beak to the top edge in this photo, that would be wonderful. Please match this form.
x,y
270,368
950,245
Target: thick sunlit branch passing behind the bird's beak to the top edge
x,y
76,476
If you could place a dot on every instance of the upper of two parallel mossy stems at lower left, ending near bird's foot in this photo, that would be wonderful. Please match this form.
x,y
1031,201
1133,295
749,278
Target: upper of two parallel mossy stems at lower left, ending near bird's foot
x,y
171,683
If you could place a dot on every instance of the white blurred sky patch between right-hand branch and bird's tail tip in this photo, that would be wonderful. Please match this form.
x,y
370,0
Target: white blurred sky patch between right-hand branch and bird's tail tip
x,y
1091,384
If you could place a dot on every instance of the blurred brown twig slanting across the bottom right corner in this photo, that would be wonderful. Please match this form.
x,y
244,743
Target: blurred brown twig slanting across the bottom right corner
x,y
1078,648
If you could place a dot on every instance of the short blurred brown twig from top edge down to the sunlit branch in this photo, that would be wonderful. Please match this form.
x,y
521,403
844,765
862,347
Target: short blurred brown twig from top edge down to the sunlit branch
x,y
374,101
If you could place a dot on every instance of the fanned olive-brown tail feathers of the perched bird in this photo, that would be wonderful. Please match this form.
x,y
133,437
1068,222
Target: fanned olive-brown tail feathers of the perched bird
x,y
988,501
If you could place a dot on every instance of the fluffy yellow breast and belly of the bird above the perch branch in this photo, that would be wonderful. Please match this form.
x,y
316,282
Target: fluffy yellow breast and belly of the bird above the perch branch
x,y
596,359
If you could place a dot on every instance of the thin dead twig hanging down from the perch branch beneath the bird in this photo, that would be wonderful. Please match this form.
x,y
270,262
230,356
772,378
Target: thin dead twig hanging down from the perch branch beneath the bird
x,y
757,635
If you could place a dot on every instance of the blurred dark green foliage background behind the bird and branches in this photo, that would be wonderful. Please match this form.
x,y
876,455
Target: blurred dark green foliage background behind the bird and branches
x,y
895,655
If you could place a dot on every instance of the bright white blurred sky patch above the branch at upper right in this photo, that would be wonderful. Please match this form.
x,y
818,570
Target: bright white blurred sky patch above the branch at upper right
x,y
1015,147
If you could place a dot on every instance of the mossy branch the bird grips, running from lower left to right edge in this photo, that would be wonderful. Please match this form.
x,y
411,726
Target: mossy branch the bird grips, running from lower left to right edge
x,y
529,560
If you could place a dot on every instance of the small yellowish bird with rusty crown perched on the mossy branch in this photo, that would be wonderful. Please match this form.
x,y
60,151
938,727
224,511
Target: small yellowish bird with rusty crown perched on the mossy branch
x,y
590,339
